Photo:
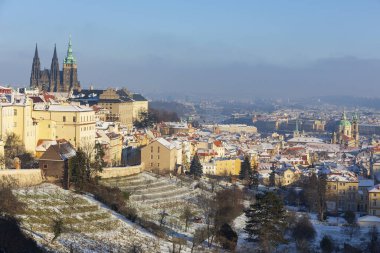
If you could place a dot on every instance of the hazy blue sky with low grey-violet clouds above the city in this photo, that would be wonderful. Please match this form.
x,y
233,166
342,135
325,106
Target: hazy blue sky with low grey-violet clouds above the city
x,y
222,48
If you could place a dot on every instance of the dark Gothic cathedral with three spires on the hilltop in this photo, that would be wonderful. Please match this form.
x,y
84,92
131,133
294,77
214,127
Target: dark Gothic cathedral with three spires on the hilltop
x,y
54,79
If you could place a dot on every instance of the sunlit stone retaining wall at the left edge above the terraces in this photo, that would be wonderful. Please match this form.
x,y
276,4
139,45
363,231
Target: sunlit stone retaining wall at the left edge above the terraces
x,y
21,178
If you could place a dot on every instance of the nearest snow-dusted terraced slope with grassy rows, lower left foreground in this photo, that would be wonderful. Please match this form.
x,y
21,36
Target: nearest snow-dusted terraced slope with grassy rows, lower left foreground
x,y
89,226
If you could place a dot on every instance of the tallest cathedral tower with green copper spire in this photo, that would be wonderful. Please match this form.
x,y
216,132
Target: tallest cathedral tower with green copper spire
x,y
70,75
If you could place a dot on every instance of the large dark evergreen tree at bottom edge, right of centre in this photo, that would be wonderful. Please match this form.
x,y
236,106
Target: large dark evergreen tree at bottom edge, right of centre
x,y
266,221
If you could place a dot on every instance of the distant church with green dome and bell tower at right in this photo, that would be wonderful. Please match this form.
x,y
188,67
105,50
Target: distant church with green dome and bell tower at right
x,y
347,133
